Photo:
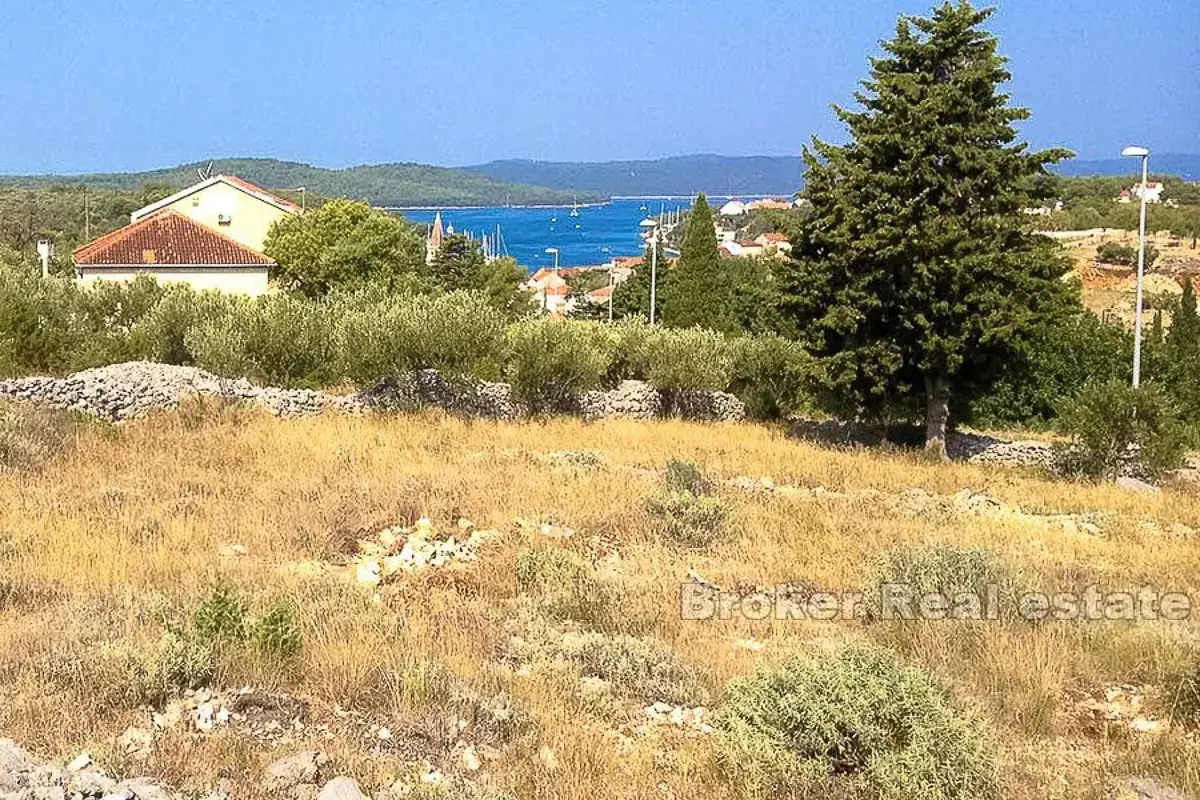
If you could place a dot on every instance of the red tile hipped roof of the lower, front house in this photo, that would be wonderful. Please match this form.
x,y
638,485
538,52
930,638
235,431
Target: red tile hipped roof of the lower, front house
x,y
167,238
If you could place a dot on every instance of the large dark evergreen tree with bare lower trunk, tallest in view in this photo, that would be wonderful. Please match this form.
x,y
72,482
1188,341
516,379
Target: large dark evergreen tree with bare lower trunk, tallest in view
x,y
915,276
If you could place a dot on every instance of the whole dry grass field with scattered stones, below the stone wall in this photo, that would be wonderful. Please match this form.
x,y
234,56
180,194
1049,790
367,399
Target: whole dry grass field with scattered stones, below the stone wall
x,y
110,548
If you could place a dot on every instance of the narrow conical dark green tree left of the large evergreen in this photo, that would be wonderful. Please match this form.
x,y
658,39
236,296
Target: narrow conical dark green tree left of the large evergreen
x,y
697,291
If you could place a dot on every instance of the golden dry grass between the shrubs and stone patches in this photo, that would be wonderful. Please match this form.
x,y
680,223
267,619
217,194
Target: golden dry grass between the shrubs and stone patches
x,y
118,539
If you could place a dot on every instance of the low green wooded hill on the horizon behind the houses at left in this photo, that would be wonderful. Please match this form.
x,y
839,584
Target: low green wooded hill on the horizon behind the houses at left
x,y
395,185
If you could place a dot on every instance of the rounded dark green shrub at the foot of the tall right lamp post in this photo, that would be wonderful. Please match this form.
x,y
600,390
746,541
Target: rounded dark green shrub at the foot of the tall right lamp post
x,y
1115,429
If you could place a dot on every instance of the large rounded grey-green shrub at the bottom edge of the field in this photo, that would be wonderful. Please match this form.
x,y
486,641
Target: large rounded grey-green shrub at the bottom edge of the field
x,y
856,725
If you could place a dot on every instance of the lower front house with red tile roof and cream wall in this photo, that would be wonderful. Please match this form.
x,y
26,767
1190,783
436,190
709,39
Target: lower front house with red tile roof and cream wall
x,y
173,248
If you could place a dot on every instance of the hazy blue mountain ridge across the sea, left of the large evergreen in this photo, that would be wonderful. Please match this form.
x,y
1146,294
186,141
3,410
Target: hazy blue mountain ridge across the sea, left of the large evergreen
x,y
674,176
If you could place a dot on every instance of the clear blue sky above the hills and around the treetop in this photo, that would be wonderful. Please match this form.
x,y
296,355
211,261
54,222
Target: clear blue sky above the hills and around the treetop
x,y
134,85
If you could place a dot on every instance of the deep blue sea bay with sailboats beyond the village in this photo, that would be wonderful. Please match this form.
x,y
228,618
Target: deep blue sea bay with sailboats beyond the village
x,y
595,237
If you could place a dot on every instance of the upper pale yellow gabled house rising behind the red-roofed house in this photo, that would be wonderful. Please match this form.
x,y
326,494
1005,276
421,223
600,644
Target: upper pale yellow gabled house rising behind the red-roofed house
x,y
226,203
